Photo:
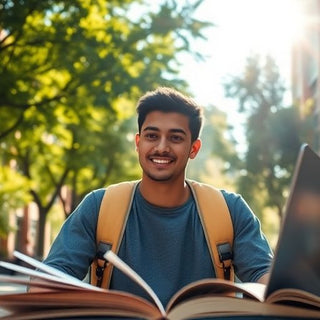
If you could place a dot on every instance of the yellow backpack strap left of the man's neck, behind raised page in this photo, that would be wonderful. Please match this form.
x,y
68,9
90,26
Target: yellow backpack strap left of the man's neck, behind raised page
x,y
114,211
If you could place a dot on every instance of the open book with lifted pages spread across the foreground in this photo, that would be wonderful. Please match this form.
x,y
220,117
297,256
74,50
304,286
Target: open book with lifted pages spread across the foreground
x,y
67,297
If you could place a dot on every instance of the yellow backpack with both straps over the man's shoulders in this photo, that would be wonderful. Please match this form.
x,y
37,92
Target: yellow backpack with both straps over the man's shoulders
x,y
114,211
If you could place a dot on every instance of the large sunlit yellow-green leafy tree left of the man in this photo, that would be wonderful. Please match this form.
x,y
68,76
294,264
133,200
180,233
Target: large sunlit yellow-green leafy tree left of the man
x,y
71,71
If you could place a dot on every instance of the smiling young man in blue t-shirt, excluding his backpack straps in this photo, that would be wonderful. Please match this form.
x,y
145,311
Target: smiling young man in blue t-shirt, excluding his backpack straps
x,y
163,240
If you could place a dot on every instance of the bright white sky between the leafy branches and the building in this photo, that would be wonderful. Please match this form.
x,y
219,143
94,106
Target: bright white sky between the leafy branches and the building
x,y
243,27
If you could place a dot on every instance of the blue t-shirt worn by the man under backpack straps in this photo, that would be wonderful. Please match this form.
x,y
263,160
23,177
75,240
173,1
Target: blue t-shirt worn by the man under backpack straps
x,y
165,246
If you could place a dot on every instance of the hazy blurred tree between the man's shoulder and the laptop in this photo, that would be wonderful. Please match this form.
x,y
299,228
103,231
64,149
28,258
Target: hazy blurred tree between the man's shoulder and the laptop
x,y
274,133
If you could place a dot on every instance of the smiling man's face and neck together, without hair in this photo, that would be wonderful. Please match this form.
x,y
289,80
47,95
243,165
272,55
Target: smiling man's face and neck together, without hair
x,y
164,146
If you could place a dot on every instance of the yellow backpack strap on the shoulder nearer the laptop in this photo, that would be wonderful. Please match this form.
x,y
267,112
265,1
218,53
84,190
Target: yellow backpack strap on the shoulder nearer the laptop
x,y
217,225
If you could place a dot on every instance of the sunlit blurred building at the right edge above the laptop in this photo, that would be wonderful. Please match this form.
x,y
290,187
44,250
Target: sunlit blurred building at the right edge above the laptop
x,y
306,66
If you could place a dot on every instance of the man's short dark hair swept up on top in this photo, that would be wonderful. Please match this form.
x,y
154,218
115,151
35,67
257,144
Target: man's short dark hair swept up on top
x,y
166,99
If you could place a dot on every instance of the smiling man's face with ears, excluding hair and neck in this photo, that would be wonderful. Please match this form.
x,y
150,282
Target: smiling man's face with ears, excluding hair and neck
x,y
164,146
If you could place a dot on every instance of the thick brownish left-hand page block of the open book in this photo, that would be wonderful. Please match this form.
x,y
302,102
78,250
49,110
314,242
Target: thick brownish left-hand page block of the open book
x,y
112,302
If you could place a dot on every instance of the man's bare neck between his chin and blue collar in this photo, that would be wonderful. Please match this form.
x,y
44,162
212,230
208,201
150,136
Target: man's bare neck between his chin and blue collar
x,y
165,194
